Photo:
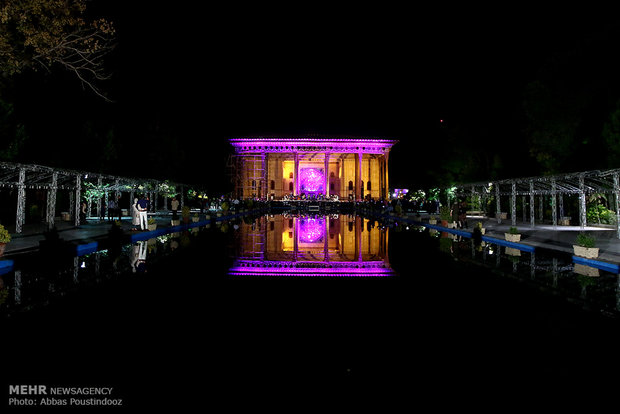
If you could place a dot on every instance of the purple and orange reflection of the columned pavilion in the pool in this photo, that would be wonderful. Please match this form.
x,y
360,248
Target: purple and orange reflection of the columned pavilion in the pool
x,y
312,246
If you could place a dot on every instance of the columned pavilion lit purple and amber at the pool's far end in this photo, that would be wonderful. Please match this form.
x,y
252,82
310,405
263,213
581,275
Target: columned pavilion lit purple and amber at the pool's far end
x,y
349,168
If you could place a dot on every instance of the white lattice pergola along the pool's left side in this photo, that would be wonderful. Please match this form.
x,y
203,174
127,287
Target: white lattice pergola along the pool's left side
x,y
76,183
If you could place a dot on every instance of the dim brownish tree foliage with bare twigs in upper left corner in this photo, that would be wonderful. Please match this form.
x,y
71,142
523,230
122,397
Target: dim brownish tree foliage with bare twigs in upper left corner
x,y
38,34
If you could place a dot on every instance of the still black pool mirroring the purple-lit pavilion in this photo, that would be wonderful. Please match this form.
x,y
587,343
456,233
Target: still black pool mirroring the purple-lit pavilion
x,y
307,299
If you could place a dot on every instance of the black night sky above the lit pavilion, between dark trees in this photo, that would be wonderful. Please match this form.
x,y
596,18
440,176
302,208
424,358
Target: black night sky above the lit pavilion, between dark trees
x,y
228,71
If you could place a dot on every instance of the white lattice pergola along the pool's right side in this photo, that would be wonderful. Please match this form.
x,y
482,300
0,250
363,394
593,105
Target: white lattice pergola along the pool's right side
x,y
555,187
